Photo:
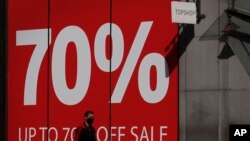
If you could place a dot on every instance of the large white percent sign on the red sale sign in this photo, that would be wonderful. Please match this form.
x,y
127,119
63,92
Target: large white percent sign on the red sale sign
x,y
152,59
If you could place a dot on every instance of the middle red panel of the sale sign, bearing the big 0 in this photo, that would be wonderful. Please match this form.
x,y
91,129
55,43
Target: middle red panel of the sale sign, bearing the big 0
x,y
80,35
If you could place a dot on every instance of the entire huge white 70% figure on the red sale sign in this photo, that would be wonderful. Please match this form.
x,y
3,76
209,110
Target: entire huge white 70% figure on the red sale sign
x,y
72,96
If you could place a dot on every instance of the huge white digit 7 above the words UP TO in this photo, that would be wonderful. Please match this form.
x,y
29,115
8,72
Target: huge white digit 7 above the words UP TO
x,y
39,38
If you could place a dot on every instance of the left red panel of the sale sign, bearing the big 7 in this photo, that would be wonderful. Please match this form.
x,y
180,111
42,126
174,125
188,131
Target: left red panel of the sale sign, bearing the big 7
x,y
27,69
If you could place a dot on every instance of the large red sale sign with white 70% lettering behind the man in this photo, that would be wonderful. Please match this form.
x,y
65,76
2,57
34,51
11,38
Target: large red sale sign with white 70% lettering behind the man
x,y
69,57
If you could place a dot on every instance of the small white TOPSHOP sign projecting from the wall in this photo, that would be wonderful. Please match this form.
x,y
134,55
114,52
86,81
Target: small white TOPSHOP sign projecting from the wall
x,y
184,12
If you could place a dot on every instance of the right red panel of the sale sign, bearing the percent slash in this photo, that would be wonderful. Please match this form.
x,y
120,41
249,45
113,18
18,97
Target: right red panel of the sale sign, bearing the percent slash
x,y
145,85
